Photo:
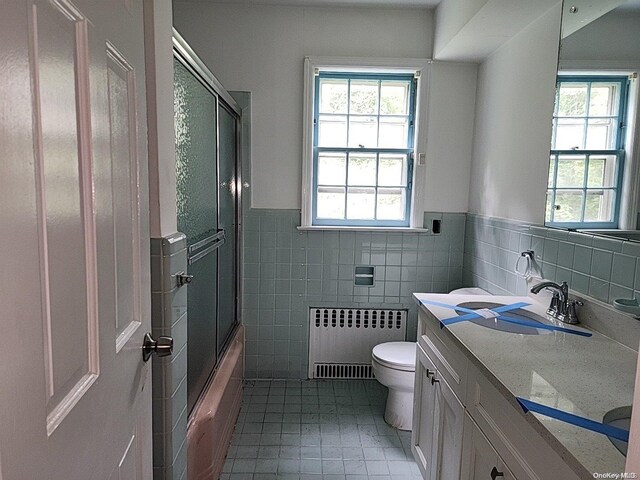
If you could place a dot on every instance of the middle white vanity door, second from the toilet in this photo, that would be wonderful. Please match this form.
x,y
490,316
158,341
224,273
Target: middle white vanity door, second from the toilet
x,y
450,418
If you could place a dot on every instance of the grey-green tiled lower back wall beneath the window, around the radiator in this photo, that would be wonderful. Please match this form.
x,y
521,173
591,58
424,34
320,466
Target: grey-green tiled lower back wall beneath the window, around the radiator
x,y
286,271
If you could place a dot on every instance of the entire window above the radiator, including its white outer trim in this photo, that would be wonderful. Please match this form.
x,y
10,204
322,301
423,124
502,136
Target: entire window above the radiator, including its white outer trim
x,y
361,126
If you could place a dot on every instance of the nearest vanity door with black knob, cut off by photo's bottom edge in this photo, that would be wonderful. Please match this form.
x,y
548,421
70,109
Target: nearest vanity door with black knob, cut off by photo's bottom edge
x,y
480,460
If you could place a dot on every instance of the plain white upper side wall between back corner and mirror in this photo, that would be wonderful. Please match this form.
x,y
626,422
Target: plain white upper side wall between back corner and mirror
x,y
512,136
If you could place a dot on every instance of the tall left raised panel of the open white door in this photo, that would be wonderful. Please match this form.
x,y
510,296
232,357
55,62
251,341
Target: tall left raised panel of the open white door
x,y
67,234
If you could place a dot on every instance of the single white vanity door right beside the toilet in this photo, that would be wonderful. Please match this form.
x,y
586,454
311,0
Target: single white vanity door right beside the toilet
x,y
424,425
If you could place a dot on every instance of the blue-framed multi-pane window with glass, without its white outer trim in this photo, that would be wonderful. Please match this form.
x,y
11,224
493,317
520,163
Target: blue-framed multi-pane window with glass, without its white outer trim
x,y
363,148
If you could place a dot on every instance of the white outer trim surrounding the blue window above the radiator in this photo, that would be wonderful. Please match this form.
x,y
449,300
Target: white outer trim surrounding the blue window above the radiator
x,y
418,67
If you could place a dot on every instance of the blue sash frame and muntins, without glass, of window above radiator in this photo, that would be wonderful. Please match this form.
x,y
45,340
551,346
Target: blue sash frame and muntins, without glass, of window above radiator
x,y
407,152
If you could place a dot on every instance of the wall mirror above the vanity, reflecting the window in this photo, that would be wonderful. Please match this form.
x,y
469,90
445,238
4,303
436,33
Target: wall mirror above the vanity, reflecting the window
x,y
593,173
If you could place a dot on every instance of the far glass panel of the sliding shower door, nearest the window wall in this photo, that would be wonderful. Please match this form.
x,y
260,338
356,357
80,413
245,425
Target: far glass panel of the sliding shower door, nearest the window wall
x,y
227,274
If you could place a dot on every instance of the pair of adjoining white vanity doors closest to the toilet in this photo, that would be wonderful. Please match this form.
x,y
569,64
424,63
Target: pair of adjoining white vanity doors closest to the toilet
x,y
438,423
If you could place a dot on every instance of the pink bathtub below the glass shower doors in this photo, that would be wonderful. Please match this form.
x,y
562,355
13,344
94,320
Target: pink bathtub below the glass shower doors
x,y
214,417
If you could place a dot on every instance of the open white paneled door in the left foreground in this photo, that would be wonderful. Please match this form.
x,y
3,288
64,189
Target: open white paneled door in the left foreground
x,y
75,395
